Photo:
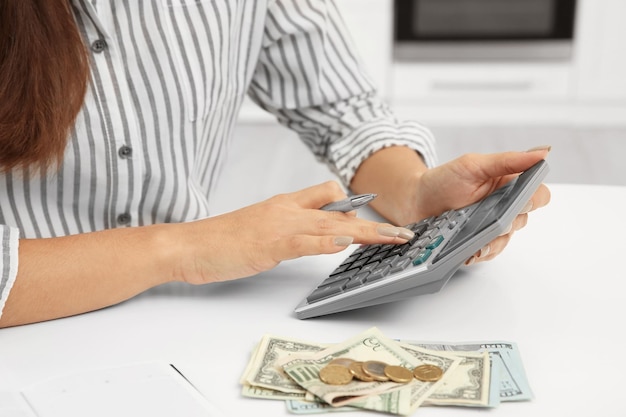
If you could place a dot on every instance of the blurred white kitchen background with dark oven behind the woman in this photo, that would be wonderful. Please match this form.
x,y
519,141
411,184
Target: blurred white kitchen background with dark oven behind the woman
x,y
484,75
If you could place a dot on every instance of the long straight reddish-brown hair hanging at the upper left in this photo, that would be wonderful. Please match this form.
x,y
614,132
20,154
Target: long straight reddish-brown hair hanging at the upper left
x,y
44,70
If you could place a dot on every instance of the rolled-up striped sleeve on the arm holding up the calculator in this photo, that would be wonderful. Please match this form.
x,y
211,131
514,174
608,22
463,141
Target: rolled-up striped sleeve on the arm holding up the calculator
x,y
309,76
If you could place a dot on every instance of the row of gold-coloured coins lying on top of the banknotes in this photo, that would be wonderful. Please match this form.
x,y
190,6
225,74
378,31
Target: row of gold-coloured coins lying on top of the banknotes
x,y
342,371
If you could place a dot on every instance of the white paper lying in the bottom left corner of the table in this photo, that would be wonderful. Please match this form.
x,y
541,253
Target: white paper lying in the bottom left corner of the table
x,y
146,389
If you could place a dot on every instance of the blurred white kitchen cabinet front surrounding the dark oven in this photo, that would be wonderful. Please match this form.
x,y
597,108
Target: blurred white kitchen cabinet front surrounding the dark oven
x,y
589,89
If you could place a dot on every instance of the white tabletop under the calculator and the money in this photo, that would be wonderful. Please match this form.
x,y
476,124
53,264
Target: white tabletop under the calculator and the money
x,y
557,291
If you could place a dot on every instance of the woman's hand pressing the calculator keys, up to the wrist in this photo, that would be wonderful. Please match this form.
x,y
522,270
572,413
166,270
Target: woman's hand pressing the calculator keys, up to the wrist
x,y
258,237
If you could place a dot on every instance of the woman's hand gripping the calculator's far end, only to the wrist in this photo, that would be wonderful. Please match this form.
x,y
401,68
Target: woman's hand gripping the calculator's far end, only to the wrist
x,y
471,177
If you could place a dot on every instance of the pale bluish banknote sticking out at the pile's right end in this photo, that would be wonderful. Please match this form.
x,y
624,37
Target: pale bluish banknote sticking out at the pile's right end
x,y
508,370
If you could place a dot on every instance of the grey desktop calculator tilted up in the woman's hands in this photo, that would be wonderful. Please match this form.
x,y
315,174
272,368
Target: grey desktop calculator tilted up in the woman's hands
x,y
383,273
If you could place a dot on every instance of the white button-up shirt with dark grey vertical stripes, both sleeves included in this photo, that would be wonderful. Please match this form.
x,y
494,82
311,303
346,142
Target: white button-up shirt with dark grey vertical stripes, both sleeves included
x,y
168,78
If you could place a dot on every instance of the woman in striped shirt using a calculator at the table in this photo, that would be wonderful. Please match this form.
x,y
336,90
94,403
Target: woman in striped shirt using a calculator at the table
x,y
114,123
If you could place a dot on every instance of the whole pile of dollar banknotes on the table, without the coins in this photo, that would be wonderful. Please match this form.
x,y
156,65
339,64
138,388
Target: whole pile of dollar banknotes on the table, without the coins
x,y
479,374
